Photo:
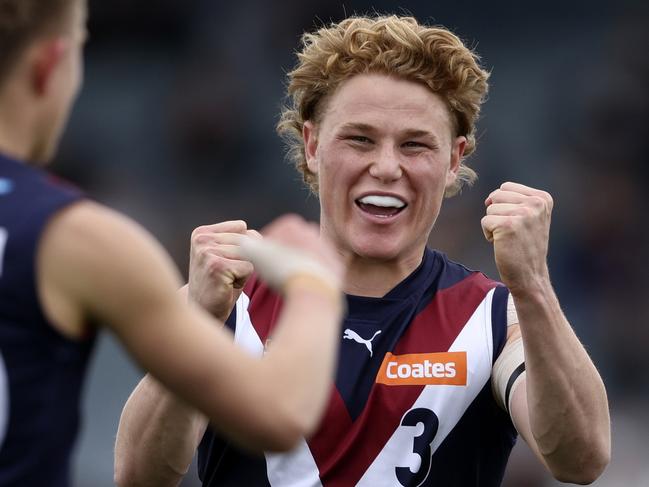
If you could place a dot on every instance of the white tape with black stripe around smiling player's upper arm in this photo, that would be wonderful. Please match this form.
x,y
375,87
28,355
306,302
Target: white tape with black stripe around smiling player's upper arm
x,y
507,372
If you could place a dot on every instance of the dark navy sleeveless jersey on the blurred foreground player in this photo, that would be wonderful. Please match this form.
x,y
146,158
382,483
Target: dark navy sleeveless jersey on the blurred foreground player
x,y
42,370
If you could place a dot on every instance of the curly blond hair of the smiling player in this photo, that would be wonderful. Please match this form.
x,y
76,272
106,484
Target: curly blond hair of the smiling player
x,y
392,45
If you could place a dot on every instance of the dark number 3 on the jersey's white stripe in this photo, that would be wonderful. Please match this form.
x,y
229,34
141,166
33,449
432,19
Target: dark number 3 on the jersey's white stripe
x,y
420,446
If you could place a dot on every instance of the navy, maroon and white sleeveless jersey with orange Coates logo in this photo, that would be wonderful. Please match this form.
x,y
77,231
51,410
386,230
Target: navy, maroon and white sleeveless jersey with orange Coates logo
x,y
412,403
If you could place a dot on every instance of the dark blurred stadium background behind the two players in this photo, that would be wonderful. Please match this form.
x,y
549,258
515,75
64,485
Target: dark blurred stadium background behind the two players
x,y
175,127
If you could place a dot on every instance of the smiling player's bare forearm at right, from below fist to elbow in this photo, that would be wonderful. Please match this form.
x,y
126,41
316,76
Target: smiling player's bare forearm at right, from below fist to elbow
x,y
567,404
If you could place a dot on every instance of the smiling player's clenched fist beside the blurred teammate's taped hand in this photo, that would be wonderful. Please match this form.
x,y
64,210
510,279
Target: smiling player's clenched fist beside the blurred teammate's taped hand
x,y
216,273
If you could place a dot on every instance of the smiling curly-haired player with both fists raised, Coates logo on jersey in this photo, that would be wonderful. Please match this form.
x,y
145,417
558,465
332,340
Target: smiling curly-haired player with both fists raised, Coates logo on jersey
x,y
439,367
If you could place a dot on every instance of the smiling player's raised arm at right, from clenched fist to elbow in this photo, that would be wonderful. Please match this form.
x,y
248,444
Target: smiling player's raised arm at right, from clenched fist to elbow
x,y
560,408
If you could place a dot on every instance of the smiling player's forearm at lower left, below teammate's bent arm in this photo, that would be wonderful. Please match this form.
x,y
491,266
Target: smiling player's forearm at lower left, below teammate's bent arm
x,y
156,438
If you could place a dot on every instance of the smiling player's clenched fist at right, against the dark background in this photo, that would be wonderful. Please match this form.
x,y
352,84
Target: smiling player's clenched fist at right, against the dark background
x,y
518,224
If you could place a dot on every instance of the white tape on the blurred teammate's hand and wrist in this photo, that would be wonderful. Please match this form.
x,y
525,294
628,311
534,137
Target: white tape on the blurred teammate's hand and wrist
x,y
277,263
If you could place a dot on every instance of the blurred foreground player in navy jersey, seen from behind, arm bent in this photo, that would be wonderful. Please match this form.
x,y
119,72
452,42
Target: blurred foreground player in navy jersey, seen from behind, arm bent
x,y
68,264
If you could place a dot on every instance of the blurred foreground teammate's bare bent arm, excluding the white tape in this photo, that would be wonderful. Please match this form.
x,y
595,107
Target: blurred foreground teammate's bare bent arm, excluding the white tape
x,y
97,264
